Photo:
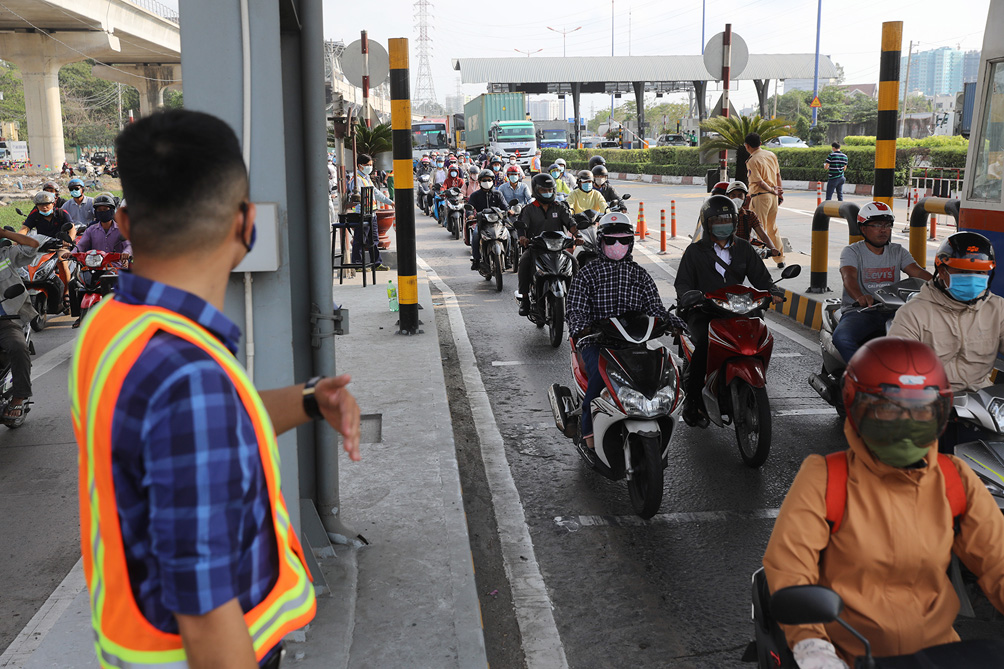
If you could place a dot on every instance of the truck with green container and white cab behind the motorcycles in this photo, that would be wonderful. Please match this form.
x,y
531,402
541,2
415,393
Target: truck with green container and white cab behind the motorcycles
x,y
498,122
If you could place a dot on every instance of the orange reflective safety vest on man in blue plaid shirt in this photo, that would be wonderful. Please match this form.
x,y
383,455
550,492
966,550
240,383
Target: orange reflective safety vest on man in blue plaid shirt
x,y
112,340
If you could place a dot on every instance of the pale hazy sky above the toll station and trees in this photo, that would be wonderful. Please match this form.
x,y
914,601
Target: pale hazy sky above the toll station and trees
x,y
851,36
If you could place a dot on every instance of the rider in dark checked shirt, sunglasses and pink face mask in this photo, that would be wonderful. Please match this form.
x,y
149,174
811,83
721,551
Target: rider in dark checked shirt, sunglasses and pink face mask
x,y
610,287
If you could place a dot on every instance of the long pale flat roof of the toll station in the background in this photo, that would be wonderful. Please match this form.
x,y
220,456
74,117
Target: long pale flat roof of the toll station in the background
x,y
595,70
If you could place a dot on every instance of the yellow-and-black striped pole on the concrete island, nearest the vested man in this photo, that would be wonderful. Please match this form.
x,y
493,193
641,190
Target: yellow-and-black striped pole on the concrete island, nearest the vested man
x,y
404,196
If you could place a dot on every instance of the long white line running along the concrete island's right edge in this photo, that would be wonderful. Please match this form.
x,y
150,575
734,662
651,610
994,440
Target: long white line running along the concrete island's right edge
x,y
542,642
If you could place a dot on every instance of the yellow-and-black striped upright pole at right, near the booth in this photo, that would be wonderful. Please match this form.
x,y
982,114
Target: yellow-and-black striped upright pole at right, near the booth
x,y
889,111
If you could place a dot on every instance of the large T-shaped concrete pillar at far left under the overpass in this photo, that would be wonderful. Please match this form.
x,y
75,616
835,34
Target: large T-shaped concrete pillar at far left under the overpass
x,y
40,58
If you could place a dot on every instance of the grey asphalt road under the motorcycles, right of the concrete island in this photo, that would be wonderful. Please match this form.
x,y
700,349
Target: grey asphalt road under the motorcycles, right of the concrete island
x,y
673,592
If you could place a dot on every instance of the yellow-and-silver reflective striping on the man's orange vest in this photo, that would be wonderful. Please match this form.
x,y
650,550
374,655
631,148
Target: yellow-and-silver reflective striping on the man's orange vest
x,y
289,606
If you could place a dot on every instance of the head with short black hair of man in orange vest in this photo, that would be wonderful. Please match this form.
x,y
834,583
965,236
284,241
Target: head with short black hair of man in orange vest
x,y
184,178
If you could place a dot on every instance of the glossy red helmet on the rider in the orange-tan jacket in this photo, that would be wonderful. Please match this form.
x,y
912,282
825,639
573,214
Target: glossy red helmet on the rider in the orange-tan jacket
x,y
894,374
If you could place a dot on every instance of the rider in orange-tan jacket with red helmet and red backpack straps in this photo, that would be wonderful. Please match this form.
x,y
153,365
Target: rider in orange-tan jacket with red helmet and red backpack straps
x,y
879,523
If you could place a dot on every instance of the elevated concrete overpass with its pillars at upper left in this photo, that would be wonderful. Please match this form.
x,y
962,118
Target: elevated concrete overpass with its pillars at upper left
x,y
137,43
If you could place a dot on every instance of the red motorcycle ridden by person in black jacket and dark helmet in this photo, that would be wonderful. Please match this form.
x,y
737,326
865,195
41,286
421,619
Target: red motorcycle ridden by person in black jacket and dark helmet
x,y
739,349
